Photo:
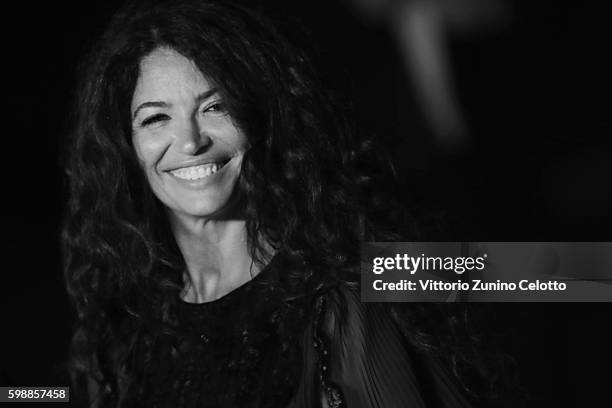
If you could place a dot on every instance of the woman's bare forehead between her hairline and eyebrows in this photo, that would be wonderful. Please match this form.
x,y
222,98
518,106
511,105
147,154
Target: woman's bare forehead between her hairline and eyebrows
x,y
167,75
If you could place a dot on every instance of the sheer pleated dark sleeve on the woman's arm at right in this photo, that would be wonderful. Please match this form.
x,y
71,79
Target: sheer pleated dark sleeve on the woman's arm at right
x,y
367,363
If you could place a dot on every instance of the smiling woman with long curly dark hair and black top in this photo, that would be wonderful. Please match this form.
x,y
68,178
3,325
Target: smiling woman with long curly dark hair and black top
x,y
216,209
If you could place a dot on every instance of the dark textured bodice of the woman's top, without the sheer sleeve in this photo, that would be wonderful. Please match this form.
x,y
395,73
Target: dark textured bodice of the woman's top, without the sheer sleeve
x,y
241,350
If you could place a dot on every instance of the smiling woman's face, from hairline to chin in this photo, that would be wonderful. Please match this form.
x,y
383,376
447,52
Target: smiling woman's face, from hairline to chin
x,y
185,140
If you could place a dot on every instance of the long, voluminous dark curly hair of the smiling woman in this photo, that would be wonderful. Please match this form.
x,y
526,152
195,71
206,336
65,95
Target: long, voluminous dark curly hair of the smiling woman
x,y
309,187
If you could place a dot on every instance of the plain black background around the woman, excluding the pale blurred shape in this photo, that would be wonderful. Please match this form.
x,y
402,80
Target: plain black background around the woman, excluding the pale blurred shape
x,y
537,167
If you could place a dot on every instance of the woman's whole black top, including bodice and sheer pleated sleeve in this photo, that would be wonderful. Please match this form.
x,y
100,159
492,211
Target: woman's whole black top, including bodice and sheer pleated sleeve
x,y
254,348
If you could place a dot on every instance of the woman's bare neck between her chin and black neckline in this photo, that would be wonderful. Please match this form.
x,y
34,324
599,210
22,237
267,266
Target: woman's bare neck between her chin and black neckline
x,y
216,255
